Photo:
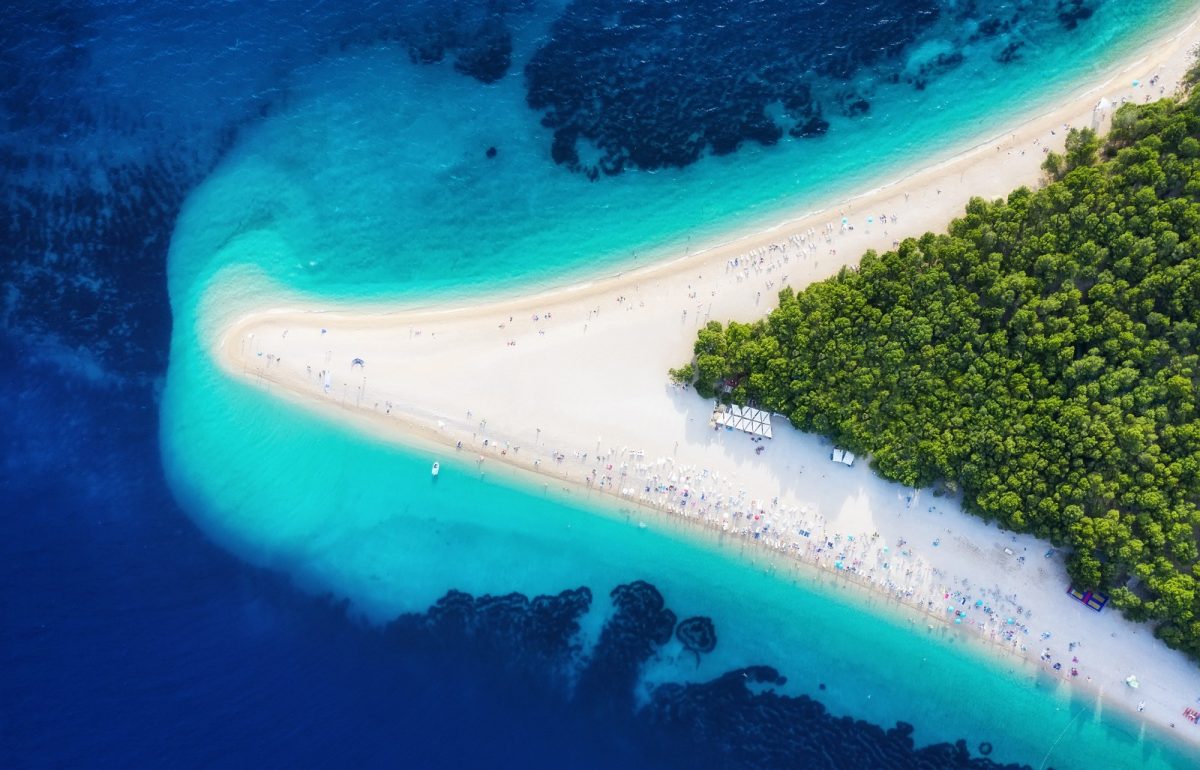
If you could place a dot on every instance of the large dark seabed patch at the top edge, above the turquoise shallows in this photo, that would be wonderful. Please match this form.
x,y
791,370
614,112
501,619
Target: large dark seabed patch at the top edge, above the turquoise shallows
x,y
661,85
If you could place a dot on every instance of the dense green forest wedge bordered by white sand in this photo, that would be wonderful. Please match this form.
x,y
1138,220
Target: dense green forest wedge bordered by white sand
x,y
1041,359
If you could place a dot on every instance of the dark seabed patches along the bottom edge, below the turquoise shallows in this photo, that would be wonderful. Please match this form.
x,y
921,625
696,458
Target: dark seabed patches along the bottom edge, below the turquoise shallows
x,y
736,720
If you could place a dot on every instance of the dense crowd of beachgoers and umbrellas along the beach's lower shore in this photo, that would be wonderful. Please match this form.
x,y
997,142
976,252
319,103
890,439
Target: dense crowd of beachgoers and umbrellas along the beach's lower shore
x,y
893,568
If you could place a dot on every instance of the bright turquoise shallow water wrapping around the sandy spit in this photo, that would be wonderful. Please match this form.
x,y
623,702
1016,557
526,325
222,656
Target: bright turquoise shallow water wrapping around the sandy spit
x,y
371,183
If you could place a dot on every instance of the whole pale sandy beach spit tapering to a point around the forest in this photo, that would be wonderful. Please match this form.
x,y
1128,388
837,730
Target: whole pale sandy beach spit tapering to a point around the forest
x,y
573,386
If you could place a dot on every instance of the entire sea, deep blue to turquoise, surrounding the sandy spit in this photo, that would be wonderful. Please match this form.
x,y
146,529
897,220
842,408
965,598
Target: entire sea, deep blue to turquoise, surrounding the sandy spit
x,y
147,621
